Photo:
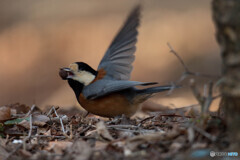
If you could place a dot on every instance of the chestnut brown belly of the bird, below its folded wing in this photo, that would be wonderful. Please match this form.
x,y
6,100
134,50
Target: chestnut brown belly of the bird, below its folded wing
x,y
109,106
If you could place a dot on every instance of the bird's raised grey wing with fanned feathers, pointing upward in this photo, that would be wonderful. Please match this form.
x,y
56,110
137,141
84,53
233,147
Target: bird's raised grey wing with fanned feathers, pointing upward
x,y
117,61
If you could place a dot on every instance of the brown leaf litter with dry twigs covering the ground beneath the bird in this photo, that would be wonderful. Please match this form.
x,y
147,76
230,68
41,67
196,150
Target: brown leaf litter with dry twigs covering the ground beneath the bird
x,y
29,133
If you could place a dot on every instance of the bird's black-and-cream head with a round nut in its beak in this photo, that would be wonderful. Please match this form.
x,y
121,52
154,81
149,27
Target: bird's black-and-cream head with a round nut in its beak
x,y
79,72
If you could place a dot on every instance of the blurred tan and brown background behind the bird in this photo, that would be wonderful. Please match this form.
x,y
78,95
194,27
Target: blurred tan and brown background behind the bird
x,y
39,37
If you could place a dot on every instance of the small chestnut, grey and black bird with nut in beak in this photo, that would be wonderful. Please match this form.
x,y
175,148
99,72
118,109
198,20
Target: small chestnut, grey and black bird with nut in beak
x,y
107,91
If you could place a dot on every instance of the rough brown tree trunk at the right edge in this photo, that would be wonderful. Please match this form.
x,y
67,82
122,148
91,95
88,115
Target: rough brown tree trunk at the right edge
x,y
226,14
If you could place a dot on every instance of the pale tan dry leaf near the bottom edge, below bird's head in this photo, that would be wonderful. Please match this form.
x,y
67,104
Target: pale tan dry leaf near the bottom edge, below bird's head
x,y
58,146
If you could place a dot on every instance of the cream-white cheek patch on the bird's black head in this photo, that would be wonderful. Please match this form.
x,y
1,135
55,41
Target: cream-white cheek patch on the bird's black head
x,y
83,77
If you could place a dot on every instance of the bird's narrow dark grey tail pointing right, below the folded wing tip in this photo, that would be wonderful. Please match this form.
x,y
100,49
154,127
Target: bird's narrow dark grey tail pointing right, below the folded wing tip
x,y
144,94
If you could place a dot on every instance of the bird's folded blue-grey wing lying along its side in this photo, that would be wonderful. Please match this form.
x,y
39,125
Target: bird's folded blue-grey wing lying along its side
x,y
106,86
